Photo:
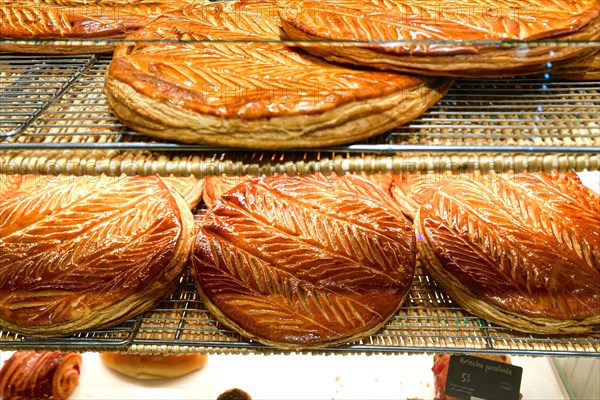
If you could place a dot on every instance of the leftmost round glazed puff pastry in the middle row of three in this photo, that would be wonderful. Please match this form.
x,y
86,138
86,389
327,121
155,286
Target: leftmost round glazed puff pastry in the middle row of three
x,y
83,253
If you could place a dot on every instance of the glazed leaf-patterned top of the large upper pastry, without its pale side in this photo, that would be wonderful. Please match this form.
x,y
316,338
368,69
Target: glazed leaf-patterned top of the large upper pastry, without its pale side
x,y
242,79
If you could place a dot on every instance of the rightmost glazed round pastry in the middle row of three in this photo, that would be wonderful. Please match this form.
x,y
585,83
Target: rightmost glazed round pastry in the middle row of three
x,y
521,250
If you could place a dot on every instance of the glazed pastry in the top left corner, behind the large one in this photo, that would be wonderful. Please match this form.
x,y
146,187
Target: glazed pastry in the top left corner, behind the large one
x,y
76,19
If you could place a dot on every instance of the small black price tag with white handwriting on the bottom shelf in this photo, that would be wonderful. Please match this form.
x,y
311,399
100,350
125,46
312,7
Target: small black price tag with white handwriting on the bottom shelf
x,y
473,377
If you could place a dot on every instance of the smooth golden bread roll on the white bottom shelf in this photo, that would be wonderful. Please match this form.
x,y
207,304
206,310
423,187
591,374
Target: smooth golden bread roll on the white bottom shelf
x,y
149,367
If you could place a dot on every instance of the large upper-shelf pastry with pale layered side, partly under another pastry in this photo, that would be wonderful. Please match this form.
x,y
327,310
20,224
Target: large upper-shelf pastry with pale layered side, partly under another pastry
x,y
257,94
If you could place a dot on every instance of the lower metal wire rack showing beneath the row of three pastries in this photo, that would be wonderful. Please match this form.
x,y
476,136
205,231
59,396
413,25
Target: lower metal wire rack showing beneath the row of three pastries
x,y
428,322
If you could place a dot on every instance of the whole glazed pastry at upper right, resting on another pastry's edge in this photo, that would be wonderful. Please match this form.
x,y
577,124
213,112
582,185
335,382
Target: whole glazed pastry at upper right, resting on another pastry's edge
x,y
424,21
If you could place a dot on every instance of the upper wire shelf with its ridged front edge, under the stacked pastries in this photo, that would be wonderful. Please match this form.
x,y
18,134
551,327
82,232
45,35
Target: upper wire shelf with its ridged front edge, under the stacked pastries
x,y
52,108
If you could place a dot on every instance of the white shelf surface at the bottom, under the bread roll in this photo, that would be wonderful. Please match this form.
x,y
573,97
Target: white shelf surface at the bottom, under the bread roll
x,y
278,377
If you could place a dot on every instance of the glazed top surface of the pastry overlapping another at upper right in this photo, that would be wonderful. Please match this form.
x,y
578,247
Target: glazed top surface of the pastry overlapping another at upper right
x,y
398,20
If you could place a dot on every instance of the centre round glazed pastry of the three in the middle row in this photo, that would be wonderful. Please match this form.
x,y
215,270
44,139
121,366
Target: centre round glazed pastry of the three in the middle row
x,y
301,262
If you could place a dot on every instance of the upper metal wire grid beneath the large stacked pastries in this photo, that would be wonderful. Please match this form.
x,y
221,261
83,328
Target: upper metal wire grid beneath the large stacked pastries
x,y
56,103
